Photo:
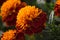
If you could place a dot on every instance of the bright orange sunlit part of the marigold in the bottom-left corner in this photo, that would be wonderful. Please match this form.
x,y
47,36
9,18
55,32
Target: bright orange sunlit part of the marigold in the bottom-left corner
x,y
9,35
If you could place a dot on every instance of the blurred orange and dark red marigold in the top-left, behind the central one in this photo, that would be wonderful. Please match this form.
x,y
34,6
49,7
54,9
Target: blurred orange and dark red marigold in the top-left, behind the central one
x,y
9,11
